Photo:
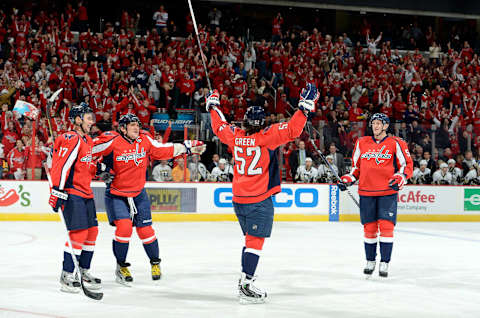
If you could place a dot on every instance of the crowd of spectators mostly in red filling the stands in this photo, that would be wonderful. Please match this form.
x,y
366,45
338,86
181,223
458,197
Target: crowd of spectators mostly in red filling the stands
x,y
431,97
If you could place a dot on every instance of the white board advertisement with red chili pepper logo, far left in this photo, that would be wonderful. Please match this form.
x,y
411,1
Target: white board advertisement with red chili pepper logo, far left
x,y
24,197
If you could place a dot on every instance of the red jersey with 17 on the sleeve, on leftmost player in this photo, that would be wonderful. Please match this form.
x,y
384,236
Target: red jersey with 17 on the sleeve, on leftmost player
x,y
72,166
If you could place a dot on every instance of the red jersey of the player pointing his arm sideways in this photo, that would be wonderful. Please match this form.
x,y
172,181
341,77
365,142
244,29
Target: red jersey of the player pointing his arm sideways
x,y
129,160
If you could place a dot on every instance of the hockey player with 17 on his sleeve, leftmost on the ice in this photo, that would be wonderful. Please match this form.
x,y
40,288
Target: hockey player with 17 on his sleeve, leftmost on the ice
x,y
72,172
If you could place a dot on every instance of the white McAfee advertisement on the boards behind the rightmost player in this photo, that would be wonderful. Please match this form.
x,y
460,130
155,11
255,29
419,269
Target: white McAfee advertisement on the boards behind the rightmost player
x,y
418,200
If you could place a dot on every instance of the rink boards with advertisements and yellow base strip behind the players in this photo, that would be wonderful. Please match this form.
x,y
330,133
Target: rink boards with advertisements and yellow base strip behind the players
x,y
28,200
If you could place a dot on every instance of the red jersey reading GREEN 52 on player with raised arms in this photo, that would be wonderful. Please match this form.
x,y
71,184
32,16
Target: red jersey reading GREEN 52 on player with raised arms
x,y
256,175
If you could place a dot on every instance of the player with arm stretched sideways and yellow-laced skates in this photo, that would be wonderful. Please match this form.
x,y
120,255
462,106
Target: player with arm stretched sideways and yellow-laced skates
x,y
126,201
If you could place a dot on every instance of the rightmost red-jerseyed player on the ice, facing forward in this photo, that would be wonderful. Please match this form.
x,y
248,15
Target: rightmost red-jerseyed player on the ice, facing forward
x,y
382,164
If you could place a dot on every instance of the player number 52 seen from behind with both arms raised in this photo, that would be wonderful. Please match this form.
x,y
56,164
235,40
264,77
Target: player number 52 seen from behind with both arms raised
x,y
256,176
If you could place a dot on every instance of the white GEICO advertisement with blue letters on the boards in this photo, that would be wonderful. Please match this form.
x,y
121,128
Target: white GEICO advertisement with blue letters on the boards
x,y
292,199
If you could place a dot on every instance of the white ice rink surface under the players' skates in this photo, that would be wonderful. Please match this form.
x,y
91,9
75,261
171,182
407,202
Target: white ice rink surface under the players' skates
x,y
311,269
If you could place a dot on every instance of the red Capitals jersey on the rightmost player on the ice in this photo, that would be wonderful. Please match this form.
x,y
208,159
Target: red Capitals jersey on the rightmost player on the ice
x,y
374,163
